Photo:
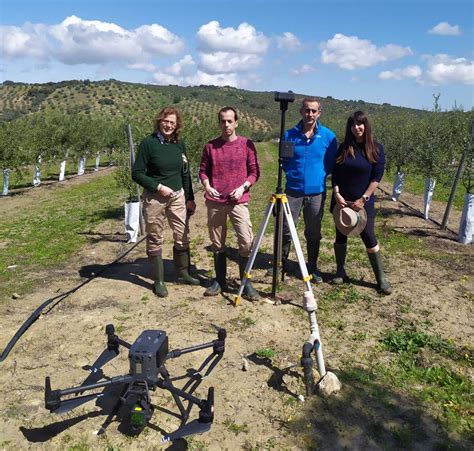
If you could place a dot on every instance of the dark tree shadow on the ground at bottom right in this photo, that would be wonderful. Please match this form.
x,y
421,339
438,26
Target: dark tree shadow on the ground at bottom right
x,y
367,415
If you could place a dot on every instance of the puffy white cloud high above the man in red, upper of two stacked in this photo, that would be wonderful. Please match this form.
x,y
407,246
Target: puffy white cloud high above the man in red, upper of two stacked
x,y
245,39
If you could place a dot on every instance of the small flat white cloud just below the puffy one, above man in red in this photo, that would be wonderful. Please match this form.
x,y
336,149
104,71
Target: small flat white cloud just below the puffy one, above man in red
x,y
224,62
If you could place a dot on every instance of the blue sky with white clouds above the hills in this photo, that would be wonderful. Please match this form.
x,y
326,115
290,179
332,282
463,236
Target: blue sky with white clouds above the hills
x,y
400,52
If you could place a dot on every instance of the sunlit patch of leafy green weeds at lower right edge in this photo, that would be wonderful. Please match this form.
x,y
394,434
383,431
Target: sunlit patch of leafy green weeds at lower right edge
x,y
437,379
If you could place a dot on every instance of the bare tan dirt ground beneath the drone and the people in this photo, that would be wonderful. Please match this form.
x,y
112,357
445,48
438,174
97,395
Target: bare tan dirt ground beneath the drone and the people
x,y
264,407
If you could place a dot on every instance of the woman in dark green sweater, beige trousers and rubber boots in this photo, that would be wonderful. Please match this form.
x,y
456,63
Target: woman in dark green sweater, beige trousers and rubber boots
x,y
162,168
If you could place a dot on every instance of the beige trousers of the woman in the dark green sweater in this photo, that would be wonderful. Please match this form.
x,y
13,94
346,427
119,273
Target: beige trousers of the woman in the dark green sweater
x,y
157,209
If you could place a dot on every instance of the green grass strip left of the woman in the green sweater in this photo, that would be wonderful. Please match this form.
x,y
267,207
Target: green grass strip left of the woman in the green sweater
x,y
49,232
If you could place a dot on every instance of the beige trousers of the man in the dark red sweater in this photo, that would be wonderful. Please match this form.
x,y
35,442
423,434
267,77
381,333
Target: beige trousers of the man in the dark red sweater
x,y
217,222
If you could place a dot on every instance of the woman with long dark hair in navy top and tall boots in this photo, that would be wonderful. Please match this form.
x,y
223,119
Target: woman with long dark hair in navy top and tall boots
x,y
359,167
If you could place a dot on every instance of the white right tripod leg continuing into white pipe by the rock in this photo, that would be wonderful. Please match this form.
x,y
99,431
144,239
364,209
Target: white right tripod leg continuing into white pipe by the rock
x,y
309,302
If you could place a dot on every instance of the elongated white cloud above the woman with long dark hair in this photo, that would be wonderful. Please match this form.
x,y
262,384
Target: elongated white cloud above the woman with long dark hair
x,y
350,52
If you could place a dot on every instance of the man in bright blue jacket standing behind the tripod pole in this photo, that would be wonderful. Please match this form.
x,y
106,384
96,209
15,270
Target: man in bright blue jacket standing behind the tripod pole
x,y
313,159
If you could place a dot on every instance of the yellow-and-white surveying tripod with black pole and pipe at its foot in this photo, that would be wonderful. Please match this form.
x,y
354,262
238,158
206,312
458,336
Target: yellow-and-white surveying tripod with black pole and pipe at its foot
x,y
279,203
